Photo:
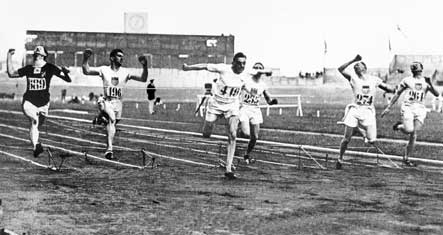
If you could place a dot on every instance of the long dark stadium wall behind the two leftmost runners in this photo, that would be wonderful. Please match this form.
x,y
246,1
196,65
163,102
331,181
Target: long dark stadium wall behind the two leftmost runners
x,y
162,50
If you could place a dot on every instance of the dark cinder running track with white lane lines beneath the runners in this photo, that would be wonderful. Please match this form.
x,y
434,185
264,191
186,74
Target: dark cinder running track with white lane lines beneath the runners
x,y
186,194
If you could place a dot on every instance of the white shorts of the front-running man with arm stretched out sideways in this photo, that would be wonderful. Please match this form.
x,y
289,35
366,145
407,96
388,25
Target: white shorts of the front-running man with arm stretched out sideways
x,y
216,109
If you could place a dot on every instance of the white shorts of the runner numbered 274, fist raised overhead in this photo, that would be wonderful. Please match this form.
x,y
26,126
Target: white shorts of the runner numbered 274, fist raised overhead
x,y
363,117
